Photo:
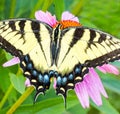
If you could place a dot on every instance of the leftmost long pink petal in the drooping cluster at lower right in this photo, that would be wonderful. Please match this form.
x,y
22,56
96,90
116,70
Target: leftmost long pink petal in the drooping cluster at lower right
x,y
81,92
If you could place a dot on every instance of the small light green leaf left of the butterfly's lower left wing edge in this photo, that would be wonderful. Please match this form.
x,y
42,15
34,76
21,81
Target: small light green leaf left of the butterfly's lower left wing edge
x,y
18,82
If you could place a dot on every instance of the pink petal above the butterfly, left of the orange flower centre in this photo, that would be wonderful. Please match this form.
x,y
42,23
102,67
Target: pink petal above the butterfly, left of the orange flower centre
x,y
46,17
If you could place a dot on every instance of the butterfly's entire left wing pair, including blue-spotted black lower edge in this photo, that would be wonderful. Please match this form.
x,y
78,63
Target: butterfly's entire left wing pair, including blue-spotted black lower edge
x,y
30,41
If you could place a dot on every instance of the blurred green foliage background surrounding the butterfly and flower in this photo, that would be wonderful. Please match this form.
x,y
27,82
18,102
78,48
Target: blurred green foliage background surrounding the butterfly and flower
x,y
102,14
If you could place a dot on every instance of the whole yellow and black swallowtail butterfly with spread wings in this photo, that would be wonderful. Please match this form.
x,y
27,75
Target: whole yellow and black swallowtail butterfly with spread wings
x,y
65,54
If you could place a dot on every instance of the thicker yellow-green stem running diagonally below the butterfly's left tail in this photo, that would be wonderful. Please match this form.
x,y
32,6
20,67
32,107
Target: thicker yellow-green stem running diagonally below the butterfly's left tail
x,y
20,100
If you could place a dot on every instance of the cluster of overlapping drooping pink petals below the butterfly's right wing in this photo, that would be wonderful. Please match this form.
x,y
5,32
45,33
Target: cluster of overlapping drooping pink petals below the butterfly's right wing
x,y
90,86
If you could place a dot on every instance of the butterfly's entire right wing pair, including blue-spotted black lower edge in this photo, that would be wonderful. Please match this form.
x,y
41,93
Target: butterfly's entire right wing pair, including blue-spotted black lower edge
x,y
82,48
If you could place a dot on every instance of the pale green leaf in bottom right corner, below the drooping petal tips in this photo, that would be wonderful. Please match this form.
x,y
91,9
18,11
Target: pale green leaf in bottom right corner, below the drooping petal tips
x,y
106,107
